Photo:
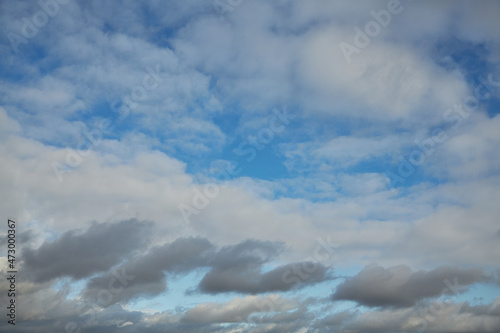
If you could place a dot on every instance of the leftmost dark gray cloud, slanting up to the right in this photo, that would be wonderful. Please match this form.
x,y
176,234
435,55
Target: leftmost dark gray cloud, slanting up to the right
x,y
78,255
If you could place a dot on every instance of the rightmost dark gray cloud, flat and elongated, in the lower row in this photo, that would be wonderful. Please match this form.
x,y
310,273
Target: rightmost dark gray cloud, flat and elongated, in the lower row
x,y
399,286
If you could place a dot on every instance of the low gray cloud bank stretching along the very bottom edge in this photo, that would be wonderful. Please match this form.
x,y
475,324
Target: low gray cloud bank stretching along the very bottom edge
x,y
277,314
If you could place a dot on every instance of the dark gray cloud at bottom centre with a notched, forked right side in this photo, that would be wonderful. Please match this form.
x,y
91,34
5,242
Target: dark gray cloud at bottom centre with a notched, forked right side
x,y
239,269
